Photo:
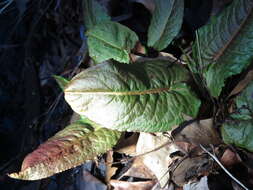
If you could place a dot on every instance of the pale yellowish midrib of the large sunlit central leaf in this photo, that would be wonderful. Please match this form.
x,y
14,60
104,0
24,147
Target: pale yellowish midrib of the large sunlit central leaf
x,y
144,92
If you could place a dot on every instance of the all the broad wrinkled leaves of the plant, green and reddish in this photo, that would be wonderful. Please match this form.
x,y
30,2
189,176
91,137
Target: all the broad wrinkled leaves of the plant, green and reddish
x,y
147,96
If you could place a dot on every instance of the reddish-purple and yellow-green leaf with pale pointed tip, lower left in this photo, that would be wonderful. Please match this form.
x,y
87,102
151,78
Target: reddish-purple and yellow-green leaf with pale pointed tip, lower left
x,y
67,149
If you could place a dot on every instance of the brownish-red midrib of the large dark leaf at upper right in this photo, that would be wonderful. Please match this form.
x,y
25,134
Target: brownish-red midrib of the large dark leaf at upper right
x,y
234,36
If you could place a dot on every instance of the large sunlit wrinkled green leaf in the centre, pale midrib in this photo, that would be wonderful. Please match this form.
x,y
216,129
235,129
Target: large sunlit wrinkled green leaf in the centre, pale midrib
x,y
146,96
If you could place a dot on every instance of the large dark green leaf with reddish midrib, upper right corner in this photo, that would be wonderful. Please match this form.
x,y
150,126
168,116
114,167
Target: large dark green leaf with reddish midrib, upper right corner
x,y
225,45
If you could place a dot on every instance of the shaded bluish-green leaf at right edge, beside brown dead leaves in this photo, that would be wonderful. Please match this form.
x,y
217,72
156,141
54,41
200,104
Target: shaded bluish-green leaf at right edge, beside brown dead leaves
x,y
239,129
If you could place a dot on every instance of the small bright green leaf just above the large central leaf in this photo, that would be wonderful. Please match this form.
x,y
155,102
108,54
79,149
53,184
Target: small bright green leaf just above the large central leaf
x,y
111,40
